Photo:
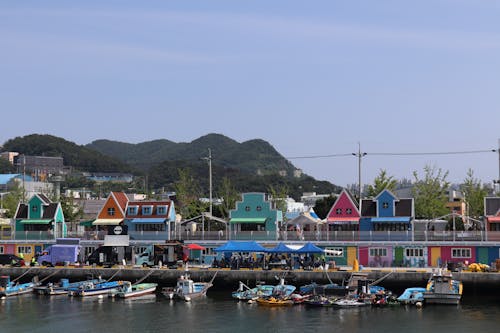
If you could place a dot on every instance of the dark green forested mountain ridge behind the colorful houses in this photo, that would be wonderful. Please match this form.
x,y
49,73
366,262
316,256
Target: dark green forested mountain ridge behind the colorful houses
x,y
251,166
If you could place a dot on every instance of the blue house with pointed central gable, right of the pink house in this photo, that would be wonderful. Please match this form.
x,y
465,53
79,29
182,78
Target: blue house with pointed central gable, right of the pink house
x,y
386,217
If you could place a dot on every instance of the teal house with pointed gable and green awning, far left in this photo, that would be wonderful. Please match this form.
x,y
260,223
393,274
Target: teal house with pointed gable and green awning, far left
x,y
40,218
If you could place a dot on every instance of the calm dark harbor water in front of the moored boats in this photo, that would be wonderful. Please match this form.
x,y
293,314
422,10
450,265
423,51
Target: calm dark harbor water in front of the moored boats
x,y
219,313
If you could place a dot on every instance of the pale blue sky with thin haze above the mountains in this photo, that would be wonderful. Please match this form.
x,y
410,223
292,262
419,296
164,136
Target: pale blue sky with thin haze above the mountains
x,y
310,77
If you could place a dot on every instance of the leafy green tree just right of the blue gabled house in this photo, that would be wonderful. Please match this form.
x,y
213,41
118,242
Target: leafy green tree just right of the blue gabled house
x,y
430,193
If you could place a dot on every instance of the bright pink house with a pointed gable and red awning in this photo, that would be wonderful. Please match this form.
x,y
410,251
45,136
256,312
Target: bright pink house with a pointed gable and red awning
x,y
344,214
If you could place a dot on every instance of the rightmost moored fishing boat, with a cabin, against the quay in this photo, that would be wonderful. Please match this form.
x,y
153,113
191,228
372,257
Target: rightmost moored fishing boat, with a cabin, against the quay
x,y
443,289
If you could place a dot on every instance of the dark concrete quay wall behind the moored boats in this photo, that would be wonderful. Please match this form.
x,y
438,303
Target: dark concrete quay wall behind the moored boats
x,y
395,279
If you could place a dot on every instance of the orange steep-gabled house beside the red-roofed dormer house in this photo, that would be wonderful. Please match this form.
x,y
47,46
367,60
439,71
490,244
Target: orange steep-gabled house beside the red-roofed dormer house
x,y
112,212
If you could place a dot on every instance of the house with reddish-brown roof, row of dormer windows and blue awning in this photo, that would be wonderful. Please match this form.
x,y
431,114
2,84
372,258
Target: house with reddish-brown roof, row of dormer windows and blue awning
x,y
150,219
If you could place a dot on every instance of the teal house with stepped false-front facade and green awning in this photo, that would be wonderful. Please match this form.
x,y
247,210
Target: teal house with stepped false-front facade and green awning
x,y
254,218
